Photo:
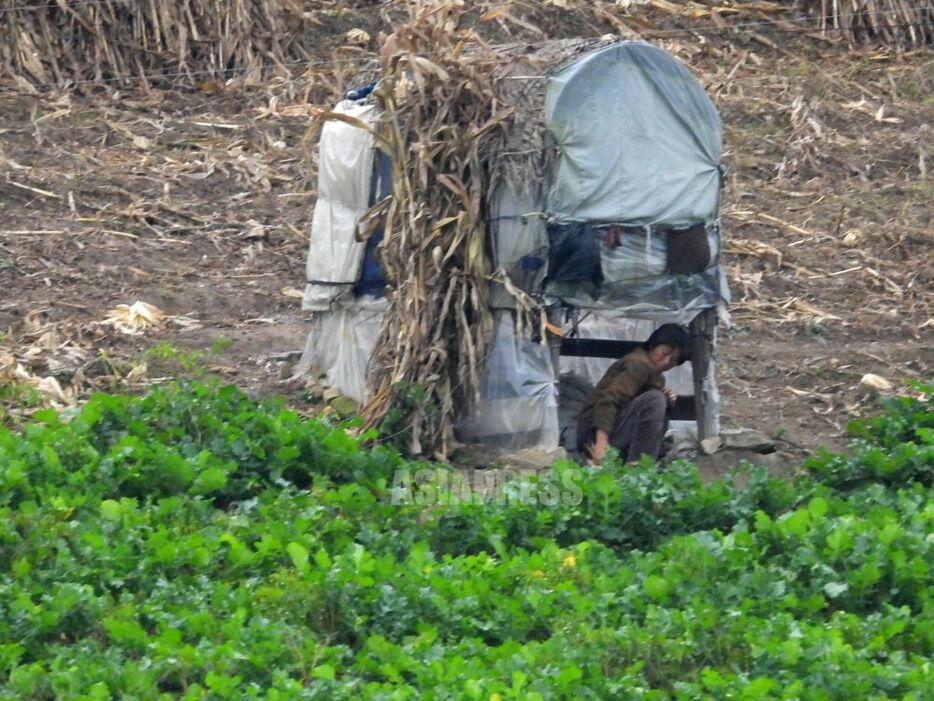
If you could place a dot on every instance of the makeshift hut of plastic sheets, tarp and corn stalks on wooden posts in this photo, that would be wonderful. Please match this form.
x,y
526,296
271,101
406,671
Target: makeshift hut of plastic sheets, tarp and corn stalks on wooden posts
x,y
596,191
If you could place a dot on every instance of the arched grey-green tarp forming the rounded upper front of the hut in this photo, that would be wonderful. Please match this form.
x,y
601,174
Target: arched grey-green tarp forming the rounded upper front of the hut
x,y
638,141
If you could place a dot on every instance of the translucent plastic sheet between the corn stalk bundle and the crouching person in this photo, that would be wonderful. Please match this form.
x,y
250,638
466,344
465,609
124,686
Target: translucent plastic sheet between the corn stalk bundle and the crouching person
x,y
518,406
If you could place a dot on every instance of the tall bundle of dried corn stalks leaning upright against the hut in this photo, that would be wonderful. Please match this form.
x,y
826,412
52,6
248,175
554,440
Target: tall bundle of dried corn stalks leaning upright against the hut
x,y
439,114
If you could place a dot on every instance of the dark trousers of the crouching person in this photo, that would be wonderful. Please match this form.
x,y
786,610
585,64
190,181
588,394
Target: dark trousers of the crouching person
x,y
638,429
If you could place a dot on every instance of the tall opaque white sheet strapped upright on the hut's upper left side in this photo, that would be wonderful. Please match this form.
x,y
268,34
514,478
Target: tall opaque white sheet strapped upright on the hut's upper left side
x,y
345,167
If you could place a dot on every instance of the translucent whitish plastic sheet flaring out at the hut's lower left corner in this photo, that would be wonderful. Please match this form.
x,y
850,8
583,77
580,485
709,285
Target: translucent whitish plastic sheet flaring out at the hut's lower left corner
x,y
340,342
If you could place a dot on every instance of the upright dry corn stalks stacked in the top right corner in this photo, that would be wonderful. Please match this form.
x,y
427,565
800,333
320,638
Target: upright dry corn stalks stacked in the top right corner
x,y
900,23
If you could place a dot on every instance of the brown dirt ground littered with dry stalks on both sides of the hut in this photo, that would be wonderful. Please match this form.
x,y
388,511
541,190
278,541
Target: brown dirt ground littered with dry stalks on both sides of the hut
x,y
198,202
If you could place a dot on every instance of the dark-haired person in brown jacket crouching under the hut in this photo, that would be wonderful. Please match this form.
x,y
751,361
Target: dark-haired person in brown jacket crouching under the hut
x,y
629,406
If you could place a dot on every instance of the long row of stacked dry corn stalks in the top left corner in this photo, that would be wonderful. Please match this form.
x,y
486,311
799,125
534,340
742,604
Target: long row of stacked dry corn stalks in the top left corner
x,y
45,42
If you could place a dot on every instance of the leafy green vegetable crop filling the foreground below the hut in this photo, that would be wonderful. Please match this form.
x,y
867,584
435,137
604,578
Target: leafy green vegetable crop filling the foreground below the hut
x,y
195,544
